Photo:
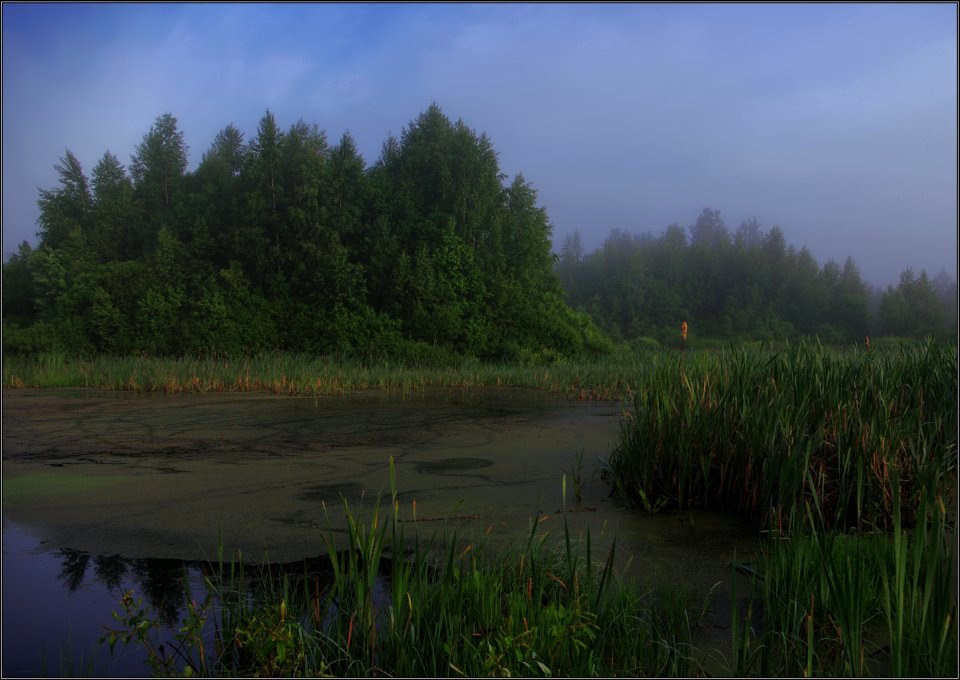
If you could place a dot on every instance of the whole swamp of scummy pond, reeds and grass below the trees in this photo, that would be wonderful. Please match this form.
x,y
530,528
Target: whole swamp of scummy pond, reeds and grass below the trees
x,y
741,512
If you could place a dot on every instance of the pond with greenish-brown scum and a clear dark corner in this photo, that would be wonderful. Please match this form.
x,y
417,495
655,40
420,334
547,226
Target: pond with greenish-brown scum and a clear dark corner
x,y
104,490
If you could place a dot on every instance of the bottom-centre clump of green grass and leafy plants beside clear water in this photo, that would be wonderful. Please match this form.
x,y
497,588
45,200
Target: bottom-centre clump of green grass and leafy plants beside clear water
x,y
438,605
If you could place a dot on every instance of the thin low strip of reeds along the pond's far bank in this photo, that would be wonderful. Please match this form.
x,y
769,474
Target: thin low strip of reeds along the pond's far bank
x,y
607,378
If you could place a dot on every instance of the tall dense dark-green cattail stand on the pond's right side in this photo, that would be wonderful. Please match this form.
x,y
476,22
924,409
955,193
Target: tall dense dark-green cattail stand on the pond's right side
x,y
762,433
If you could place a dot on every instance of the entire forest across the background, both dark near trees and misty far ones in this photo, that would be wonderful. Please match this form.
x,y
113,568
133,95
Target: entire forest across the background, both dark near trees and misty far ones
x,y
288,243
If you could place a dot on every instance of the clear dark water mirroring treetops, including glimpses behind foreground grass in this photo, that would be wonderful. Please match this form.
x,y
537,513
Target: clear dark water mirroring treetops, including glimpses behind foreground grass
x,y
57,603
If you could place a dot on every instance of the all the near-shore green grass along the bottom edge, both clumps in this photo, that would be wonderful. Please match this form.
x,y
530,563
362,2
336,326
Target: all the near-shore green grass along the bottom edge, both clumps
x,y
449,605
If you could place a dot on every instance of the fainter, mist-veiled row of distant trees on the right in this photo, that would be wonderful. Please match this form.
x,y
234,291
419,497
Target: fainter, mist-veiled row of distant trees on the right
x,y
746,285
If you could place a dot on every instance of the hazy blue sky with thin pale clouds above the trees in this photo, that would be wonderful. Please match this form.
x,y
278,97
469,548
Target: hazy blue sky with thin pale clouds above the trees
x,y
836,122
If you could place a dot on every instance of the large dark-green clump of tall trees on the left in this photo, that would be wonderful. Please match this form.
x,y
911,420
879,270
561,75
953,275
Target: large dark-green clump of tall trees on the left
x,y
287,242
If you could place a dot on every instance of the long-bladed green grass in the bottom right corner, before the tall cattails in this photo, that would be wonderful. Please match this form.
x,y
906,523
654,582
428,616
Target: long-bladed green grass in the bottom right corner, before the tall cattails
x,y
870,604
